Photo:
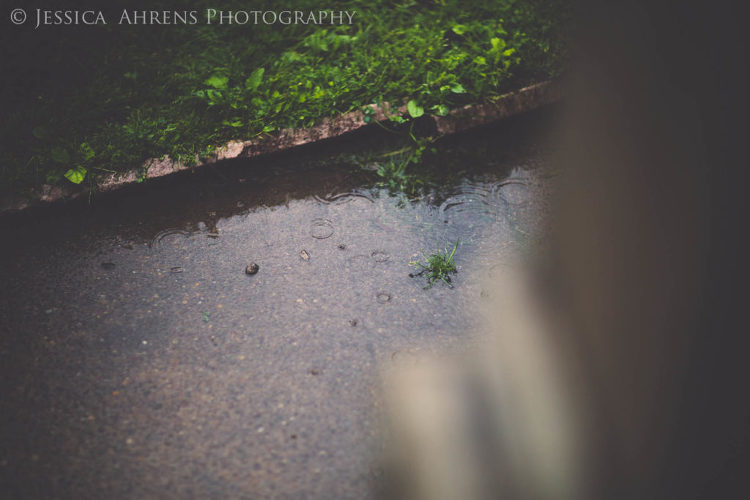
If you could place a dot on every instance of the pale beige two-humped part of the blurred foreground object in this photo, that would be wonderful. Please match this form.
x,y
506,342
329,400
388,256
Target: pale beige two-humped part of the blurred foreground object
x,y
499,422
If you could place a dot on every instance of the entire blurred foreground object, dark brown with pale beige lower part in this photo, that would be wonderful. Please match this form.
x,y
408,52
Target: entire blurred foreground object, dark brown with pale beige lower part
x,y
637,388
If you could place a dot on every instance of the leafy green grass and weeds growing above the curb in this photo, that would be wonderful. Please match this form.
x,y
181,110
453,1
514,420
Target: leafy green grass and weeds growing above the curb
x,y
103,99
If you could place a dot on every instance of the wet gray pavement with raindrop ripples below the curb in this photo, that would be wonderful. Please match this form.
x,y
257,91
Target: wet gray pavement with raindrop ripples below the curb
x,y
140,361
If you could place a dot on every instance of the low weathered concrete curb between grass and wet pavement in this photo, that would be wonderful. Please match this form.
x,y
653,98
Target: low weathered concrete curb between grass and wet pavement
x,y
458,120
